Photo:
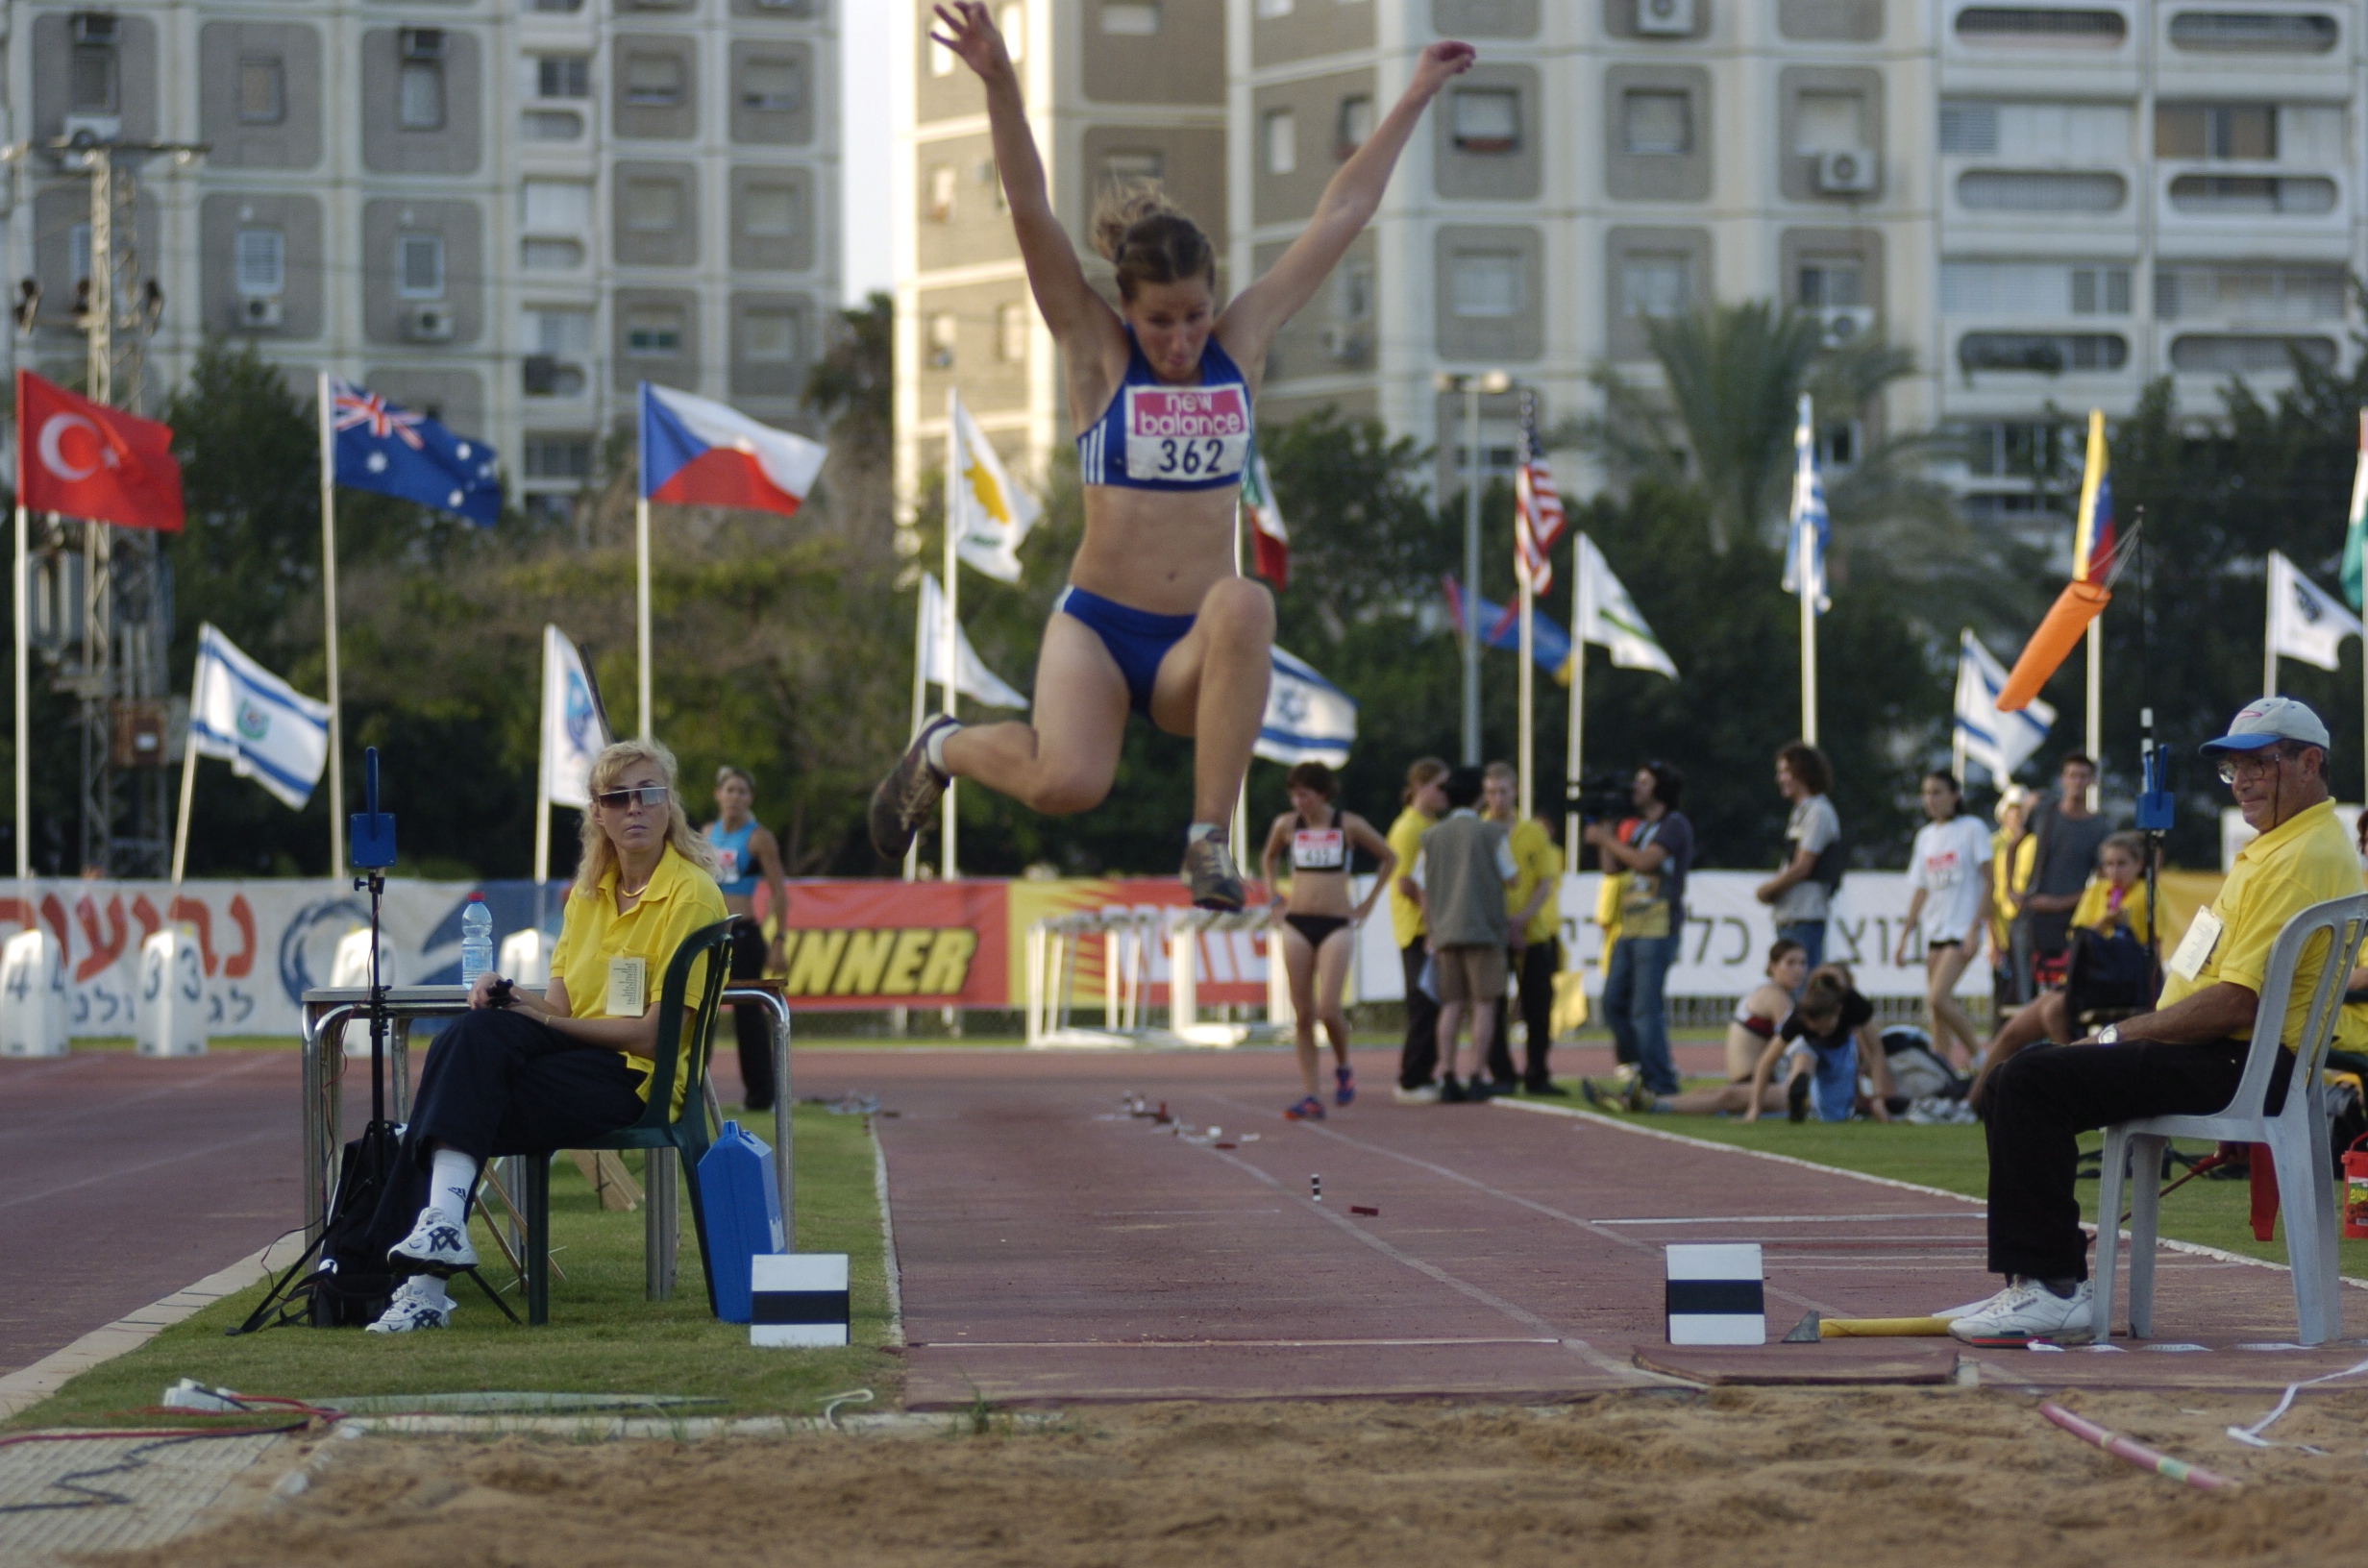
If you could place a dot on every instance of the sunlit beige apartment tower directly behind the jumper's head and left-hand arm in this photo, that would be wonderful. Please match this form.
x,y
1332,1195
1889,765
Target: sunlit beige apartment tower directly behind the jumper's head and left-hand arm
x,y
1117,91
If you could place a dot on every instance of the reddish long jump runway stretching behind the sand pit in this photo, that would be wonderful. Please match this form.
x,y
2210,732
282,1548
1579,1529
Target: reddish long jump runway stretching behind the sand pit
x,y
1055,1247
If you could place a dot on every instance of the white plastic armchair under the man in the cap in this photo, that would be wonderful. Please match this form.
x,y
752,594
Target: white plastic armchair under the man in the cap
x,y
2296,1136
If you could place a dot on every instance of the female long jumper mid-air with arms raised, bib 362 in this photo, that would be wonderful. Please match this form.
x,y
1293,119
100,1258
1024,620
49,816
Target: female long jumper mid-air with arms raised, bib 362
x,y
1154,615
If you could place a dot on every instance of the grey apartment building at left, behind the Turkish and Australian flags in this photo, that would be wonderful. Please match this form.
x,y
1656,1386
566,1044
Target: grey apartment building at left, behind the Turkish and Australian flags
x,y
506,212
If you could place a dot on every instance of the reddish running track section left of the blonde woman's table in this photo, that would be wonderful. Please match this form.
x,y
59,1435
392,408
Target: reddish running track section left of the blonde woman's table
x,y
124,1178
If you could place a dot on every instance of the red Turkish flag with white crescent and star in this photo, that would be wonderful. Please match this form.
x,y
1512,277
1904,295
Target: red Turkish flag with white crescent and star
x,y
89,461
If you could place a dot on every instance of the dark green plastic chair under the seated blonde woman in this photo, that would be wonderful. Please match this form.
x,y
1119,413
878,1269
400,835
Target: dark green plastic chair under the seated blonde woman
x,y
686,1039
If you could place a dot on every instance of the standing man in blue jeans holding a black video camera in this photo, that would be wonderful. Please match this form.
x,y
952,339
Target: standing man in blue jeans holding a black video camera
x,y
1652,918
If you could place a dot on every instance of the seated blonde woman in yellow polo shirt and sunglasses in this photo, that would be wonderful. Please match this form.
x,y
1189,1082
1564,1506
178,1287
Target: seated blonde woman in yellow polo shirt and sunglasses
x,y
534,1072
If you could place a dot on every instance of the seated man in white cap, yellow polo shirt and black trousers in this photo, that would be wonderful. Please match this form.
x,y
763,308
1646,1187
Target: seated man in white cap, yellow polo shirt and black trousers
x,y
2182,1060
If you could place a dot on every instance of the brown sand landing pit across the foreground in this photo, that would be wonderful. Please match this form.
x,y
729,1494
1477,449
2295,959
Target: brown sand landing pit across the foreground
x,y
1879,1479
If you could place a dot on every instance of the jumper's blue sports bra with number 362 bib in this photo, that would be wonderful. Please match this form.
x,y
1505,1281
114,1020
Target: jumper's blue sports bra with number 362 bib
x,y
1159,437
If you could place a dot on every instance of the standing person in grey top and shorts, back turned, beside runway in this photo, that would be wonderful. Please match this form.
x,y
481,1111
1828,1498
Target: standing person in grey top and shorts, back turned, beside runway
x,y
1465,873
